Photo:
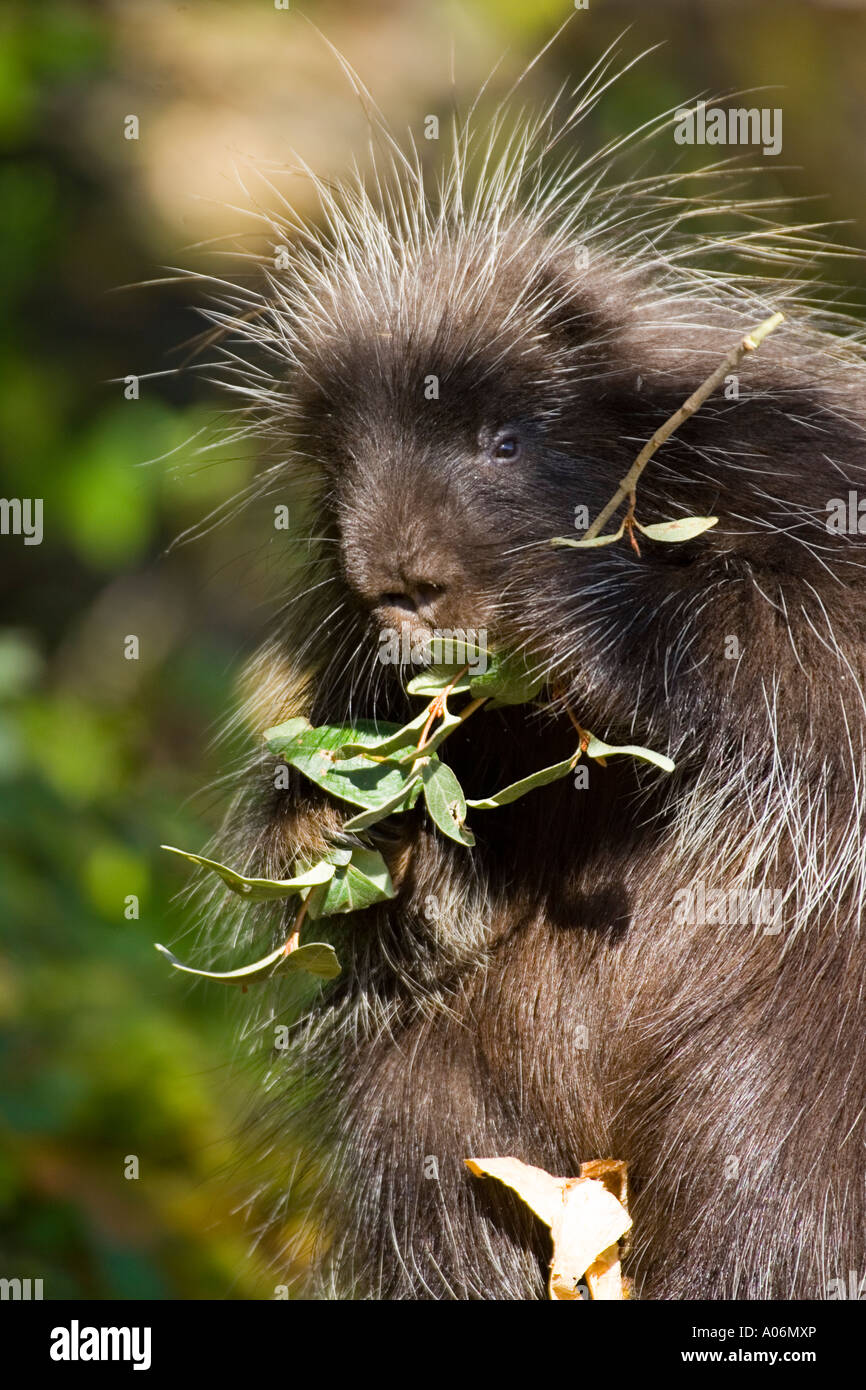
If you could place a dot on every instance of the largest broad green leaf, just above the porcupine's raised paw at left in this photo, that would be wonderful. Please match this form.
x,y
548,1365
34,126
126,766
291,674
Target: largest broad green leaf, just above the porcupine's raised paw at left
x,y
357,780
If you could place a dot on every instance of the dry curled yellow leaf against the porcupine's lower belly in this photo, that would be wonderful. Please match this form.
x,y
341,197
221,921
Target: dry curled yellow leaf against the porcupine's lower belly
x,y
587,1217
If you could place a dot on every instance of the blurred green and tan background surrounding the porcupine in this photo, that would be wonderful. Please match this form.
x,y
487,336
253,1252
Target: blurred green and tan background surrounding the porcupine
x,y
104,1052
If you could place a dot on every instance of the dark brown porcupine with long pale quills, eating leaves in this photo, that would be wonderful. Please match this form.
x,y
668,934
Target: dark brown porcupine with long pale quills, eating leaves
x,y
540,996
